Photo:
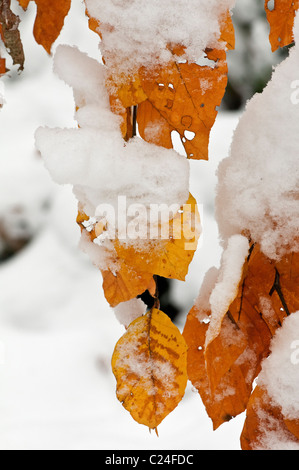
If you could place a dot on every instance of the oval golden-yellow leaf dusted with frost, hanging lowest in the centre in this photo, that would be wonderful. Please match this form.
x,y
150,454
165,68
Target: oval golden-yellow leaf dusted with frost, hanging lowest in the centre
x,y
149,363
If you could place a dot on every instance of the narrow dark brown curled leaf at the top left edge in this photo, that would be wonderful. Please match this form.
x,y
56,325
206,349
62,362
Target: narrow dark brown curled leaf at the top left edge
x,y
10,34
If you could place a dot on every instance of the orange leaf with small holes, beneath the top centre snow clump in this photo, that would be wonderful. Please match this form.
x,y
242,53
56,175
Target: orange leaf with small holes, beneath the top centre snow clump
x,y
185,97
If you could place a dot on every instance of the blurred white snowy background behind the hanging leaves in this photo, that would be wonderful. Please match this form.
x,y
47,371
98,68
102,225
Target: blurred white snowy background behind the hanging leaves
x,y
57,332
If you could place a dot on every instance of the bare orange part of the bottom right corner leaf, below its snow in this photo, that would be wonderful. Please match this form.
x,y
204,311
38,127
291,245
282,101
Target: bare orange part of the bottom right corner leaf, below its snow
x,y
262,419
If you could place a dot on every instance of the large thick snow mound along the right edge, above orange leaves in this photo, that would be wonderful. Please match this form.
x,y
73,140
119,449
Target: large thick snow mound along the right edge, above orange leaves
x,y
257,192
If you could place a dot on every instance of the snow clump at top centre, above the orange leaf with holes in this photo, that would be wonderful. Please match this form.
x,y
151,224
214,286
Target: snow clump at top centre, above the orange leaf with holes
x,y
131,40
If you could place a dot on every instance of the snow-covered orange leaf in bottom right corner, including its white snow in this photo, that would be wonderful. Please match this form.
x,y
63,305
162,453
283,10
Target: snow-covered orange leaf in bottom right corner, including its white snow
x,y
272,418
